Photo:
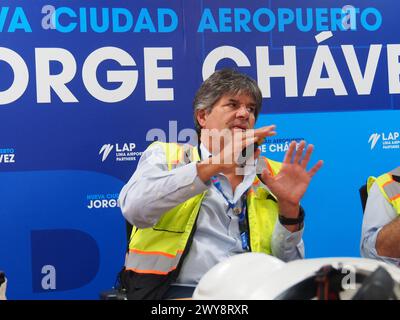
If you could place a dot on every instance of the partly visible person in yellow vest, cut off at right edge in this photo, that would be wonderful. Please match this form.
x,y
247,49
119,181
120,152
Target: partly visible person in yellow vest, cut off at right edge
x,y
381,223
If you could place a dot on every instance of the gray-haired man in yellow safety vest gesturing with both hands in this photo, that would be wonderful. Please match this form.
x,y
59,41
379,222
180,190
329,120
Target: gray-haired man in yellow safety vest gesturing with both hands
x,y
192,207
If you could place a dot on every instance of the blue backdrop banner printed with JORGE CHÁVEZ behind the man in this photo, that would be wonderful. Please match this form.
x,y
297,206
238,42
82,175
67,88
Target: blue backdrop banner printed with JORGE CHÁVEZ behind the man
x,y
85,86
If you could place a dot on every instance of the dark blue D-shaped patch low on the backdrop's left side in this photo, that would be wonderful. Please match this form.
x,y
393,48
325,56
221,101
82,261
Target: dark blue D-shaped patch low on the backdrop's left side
x,y
63,259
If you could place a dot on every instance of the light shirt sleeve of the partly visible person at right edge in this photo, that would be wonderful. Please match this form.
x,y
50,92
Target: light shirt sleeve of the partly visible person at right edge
x,y
378,213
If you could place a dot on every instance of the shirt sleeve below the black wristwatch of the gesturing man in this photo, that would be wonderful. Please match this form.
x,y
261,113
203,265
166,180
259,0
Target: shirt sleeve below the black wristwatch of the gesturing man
x,y
287,245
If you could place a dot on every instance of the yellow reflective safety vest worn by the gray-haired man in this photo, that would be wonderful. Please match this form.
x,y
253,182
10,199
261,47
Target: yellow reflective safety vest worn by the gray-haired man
x,y
157,253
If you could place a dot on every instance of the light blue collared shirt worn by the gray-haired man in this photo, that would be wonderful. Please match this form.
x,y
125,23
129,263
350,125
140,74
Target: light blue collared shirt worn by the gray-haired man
x,y
153,190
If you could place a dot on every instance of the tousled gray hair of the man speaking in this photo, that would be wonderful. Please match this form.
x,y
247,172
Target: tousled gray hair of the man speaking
x,y
220,83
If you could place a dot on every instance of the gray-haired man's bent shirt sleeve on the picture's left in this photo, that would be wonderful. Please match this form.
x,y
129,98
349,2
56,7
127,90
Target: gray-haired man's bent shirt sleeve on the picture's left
x,y
152,190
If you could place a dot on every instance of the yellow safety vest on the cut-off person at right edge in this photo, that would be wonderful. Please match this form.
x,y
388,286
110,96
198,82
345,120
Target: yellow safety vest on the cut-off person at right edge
x,y
389,185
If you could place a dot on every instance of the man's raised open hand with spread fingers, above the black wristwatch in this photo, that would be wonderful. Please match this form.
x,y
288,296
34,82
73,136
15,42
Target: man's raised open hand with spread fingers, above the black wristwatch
x,y
291,183
